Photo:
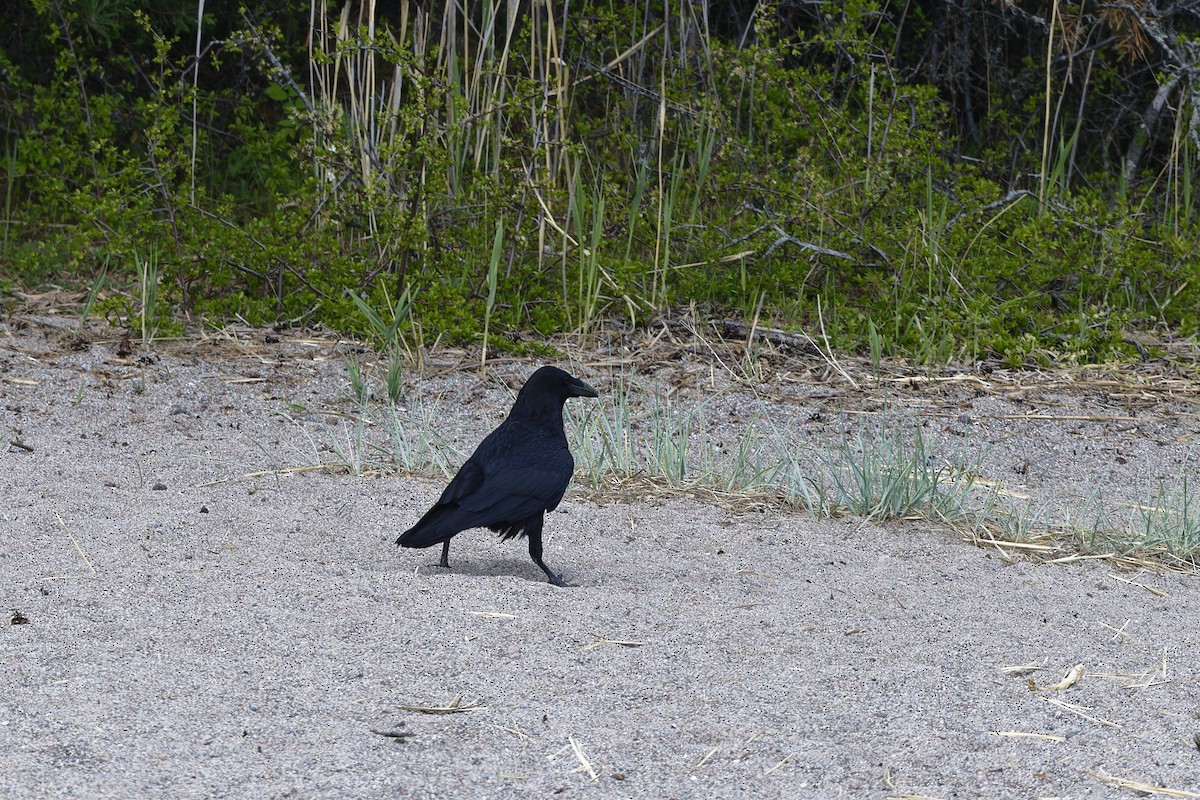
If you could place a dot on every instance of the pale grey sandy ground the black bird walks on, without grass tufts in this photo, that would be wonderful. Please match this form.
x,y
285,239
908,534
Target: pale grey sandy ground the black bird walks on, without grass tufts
x,y
181,621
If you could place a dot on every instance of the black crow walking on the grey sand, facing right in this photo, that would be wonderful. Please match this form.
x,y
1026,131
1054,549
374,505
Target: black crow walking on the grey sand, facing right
x,y
518,474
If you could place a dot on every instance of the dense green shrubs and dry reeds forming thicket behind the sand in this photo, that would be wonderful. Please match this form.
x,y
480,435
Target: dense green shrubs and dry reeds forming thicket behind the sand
x,y
945,183
